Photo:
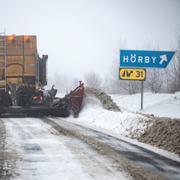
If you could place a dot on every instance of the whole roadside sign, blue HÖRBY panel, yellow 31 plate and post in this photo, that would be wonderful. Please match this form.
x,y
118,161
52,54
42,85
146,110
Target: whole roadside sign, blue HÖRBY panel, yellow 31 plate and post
x,y
131,62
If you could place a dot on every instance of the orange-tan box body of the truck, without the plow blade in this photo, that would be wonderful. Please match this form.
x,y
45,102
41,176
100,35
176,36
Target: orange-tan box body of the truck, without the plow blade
x,y
20,68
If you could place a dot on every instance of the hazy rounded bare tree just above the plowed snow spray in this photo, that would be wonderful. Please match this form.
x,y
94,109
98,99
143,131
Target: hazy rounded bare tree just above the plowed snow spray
x,y
93,79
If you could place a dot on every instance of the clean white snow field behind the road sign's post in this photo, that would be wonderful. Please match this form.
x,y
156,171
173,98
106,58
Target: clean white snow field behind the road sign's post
x,y
162,105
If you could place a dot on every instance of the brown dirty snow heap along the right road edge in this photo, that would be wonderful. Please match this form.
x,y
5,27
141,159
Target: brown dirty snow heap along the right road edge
x,y
164,133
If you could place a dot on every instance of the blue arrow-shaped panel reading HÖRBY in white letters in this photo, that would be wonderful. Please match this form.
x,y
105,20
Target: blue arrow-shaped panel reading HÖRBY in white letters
x,y
137,58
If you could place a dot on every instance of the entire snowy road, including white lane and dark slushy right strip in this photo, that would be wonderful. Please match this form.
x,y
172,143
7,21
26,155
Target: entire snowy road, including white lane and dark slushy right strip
x,y
51,148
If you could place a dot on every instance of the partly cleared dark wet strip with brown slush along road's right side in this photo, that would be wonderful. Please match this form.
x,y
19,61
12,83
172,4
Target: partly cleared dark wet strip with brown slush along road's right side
x,y
139,161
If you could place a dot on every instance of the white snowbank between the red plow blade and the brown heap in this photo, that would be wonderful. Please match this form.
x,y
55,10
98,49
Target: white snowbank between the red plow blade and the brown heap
x,y
126,124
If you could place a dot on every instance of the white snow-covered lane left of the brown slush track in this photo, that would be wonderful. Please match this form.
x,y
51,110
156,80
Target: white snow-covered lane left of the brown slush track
x,y
40,152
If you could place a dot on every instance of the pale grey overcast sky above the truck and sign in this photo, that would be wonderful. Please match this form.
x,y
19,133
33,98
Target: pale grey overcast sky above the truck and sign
x,y
85,35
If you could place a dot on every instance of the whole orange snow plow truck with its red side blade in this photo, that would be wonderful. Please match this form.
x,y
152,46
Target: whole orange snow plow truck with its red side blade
x,y
22,80
